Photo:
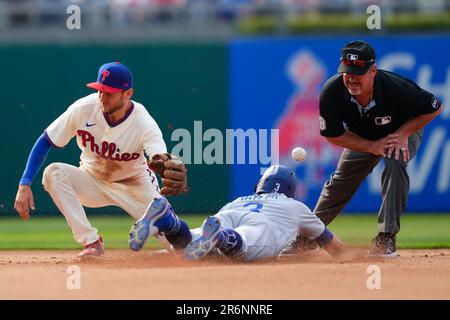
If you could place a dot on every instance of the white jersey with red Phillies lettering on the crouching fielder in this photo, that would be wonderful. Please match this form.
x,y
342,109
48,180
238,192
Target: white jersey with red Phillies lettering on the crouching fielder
x,y
110,151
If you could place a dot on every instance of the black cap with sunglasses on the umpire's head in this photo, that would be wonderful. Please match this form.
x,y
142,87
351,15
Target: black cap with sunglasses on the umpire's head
x,y
356,58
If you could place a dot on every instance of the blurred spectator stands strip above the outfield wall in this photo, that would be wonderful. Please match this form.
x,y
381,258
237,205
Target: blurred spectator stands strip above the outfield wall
x,y
142,20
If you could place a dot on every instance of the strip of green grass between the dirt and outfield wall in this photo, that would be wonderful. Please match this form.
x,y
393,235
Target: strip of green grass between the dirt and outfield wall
x,y
417,231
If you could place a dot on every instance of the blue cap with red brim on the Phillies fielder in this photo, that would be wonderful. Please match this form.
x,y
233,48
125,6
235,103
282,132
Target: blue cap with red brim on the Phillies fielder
x,y
112,77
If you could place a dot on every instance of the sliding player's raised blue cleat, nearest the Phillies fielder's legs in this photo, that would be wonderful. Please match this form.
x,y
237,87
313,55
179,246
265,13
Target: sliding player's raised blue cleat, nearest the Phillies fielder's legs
x,y
144,227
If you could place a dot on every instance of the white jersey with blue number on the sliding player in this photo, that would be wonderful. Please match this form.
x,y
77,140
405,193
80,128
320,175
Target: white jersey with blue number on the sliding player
x,y
288,217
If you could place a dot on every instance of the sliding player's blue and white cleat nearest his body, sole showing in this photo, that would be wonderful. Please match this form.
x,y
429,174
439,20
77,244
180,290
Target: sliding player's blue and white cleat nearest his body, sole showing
x,y
201,246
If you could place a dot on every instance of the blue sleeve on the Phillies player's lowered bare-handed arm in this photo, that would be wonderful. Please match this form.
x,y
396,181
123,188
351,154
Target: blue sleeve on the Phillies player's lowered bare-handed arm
x,y
36,158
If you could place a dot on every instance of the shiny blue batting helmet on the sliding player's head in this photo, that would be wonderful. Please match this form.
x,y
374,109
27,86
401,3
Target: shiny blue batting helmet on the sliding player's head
x,y
278,179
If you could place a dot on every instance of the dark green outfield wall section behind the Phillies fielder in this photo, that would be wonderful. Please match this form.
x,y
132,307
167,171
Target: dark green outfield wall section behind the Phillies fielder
x,y
178,83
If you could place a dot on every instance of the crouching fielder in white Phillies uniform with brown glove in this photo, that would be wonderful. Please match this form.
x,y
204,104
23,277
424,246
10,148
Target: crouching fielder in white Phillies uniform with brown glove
x,y
116,136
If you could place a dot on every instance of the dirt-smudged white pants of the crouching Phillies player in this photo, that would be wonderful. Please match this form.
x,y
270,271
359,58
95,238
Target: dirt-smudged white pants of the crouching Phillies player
x,y
71,188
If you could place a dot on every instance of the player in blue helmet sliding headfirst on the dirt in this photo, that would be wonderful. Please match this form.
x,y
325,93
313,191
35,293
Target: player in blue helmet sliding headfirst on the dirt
x,y
258,226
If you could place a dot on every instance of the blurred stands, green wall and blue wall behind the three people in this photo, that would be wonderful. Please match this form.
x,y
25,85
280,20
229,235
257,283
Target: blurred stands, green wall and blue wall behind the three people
x,y
250,64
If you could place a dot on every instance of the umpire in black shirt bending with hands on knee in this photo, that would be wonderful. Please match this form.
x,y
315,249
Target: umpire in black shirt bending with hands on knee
x,y
372,114
